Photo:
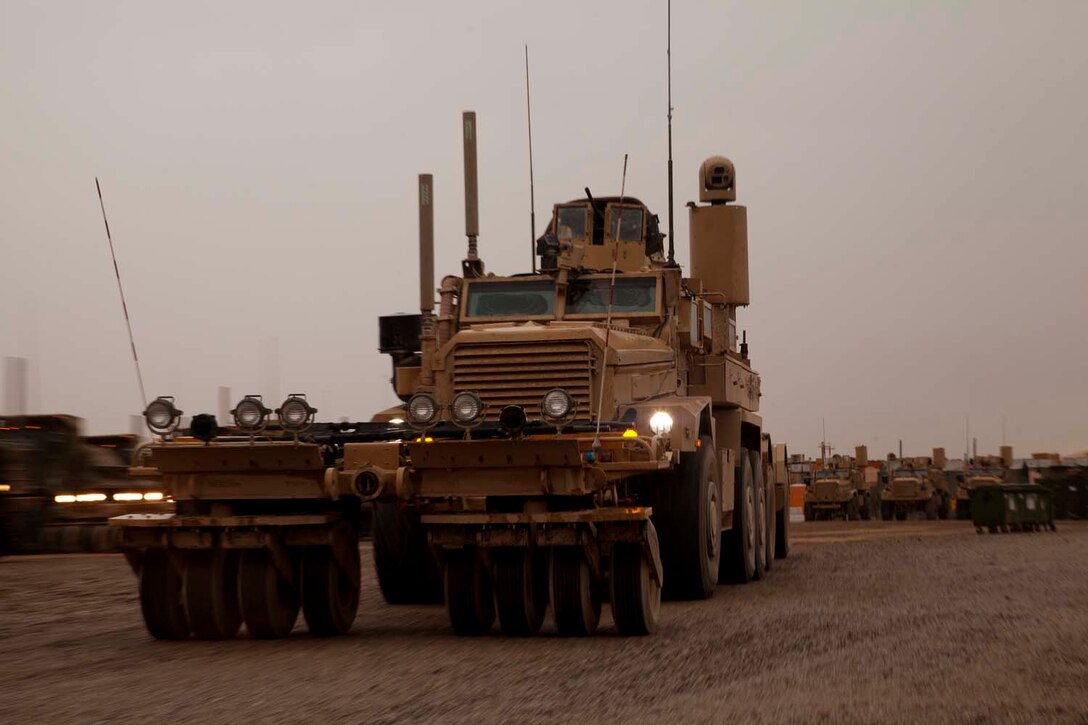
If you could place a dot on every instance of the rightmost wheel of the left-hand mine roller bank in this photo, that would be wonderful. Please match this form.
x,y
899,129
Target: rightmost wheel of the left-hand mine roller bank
x,y
330,593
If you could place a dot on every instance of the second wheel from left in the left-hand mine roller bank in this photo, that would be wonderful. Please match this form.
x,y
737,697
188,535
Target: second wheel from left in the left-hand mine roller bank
x,y
212,594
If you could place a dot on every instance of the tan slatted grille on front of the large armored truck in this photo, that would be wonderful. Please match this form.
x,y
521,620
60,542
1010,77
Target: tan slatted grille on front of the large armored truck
x,y
521,375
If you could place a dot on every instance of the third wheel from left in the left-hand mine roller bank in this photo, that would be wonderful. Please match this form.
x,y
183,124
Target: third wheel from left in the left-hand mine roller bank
x,y
269,604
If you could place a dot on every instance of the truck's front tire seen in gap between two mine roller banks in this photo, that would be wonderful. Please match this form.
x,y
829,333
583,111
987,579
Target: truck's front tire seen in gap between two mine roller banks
x,y
407,572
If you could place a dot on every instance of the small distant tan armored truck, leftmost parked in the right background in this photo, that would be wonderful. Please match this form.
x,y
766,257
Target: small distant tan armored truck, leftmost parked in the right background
x,y
843,488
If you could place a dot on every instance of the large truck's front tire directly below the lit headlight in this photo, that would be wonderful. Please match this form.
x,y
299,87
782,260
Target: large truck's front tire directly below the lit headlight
x,y
688,515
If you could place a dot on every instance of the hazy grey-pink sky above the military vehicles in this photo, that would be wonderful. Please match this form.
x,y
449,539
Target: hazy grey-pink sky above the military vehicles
x,y
914,175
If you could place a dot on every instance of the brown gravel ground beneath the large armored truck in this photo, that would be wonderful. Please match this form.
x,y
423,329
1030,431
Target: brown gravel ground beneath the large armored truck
x,y
877,622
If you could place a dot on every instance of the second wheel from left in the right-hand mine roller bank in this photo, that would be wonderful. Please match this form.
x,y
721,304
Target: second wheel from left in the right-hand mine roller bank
x,y
521,580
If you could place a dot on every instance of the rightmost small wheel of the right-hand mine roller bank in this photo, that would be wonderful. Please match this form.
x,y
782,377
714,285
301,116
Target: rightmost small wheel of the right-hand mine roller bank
x,y
636,594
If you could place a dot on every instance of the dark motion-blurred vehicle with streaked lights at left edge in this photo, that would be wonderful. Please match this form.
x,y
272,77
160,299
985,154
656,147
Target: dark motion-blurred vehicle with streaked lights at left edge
x,y
58,487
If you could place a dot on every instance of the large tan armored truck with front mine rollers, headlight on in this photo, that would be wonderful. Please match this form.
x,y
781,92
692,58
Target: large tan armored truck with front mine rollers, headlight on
x,y
582,434
